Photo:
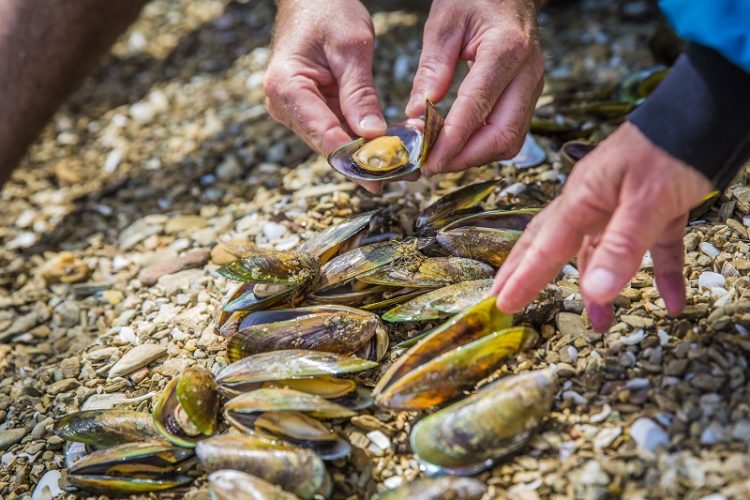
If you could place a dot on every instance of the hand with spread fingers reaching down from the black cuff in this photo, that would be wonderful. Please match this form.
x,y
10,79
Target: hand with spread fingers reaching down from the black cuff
x,y
623,198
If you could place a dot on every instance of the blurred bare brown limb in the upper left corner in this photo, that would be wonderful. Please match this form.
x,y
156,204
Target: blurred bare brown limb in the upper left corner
x,y
45,49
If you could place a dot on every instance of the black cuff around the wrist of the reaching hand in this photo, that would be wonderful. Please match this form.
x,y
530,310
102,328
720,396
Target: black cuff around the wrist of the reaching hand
x,y
701,114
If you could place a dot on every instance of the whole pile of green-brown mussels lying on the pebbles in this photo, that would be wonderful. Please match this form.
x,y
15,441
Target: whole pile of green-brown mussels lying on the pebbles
x,y
293,368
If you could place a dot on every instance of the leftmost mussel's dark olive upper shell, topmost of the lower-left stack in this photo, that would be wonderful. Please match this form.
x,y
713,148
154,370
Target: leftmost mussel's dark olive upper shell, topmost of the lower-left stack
x,y
106,427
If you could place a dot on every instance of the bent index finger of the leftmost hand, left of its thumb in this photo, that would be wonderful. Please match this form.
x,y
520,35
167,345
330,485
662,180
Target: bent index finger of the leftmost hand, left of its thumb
x,y
299,105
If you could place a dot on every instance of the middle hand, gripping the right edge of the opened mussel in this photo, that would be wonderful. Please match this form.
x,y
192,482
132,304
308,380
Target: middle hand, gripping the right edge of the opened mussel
x,y
493,108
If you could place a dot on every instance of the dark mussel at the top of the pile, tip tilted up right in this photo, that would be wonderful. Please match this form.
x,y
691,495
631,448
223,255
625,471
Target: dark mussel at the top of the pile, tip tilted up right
x,y
442,211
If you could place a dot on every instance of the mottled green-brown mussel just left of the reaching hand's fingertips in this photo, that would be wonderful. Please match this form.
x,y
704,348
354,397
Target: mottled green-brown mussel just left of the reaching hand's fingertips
x,y
440,303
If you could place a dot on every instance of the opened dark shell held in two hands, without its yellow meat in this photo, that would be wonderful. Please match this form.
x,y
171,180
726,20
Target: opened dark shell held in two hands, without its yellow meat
x,y
416,143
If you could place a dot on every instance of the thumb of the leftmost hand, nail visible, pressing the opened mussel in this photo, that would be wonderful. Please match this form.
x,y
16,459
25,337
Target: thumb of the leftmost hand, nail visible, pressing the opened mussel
x,y
357,95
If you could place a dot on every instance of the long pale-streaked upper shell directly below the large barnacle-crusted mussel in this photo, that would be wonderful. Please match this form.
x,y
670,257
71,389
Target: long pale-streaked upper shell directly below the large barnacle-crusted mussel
x,y
288,364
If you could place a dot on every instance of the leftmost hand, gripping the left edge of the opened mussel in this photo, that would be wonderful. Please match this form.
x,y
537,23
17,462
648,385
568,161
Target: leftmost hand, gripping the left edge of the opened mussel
x,y
319,79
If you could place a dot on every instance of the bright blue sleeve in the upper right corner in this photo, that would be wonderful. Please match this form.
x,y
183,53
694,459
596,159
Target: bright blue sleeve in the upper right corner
x,y
723,25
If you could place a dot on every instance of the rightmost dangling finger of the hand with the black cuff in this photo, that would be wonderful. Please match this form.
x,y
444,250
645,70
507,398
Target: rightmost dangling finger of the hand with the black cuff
x,y
668,255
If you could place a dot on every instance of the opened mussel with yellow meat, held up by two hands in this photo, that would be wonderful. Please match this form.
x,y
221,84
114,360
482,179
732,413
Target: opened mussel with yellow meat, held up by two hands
x,y
402,150
